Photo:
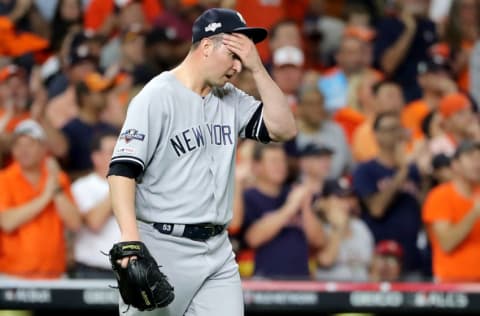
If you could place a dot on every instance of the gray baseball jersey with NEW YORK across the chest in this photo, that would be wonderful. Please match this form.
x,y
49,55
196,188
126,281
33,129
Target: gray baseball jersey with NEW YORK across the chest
x,y
185,145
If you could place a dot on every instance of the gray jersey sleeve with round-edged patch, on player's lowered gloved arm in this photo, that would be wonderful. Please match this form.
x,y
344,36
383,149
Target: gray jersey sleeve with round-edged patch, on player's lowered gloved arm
x,y
140,134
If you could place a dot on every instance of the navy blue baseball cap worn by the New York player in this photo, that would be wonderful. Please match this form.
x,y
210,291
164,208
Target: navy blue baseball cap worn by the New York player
x,y
219,20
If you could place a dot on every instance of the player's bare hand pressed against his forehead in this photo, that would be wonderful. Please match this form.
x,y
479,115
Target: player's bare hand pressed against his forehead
x,y
245,49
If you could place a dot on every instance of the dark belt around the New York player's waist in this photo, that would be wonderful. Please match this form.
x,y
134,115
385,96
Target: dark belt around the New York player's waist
x,y
199,232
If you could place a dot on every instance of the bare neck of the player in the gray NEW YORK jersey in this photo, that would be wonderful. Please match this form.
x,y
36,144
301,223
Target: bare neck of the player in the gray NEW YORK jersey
x,y
185,74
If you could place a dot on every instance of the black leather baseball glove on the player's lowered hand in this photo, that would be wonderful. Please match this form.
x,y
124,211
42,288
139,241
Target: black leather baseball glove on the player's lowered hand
x,y
141,283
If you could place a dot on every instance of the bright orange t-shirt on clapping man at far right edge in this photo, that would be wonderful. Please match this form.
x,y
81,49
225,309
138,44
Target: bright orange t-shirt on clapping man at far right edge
x,y
445,203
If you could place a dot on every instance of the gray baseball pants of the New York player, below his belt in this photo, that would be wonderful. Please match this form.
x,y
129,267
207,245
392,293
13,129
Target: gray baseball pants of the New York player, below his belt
x,y
204,275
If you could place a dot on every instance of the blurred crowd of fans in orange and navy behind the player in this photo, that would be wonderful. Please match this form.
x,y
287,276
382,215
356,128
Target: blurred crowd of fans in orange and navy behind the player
x,y
382,182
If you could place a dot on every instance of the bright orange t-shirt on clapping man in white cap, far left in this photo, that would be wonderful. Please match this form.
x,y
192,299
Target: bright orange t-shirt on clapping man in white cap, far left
x,y
37,248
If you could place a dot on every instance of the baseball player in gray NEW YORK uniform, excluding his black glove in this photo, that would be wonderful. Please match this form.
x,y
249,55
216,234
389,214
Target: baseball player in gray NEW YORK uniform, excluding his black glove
x,y
172,171
